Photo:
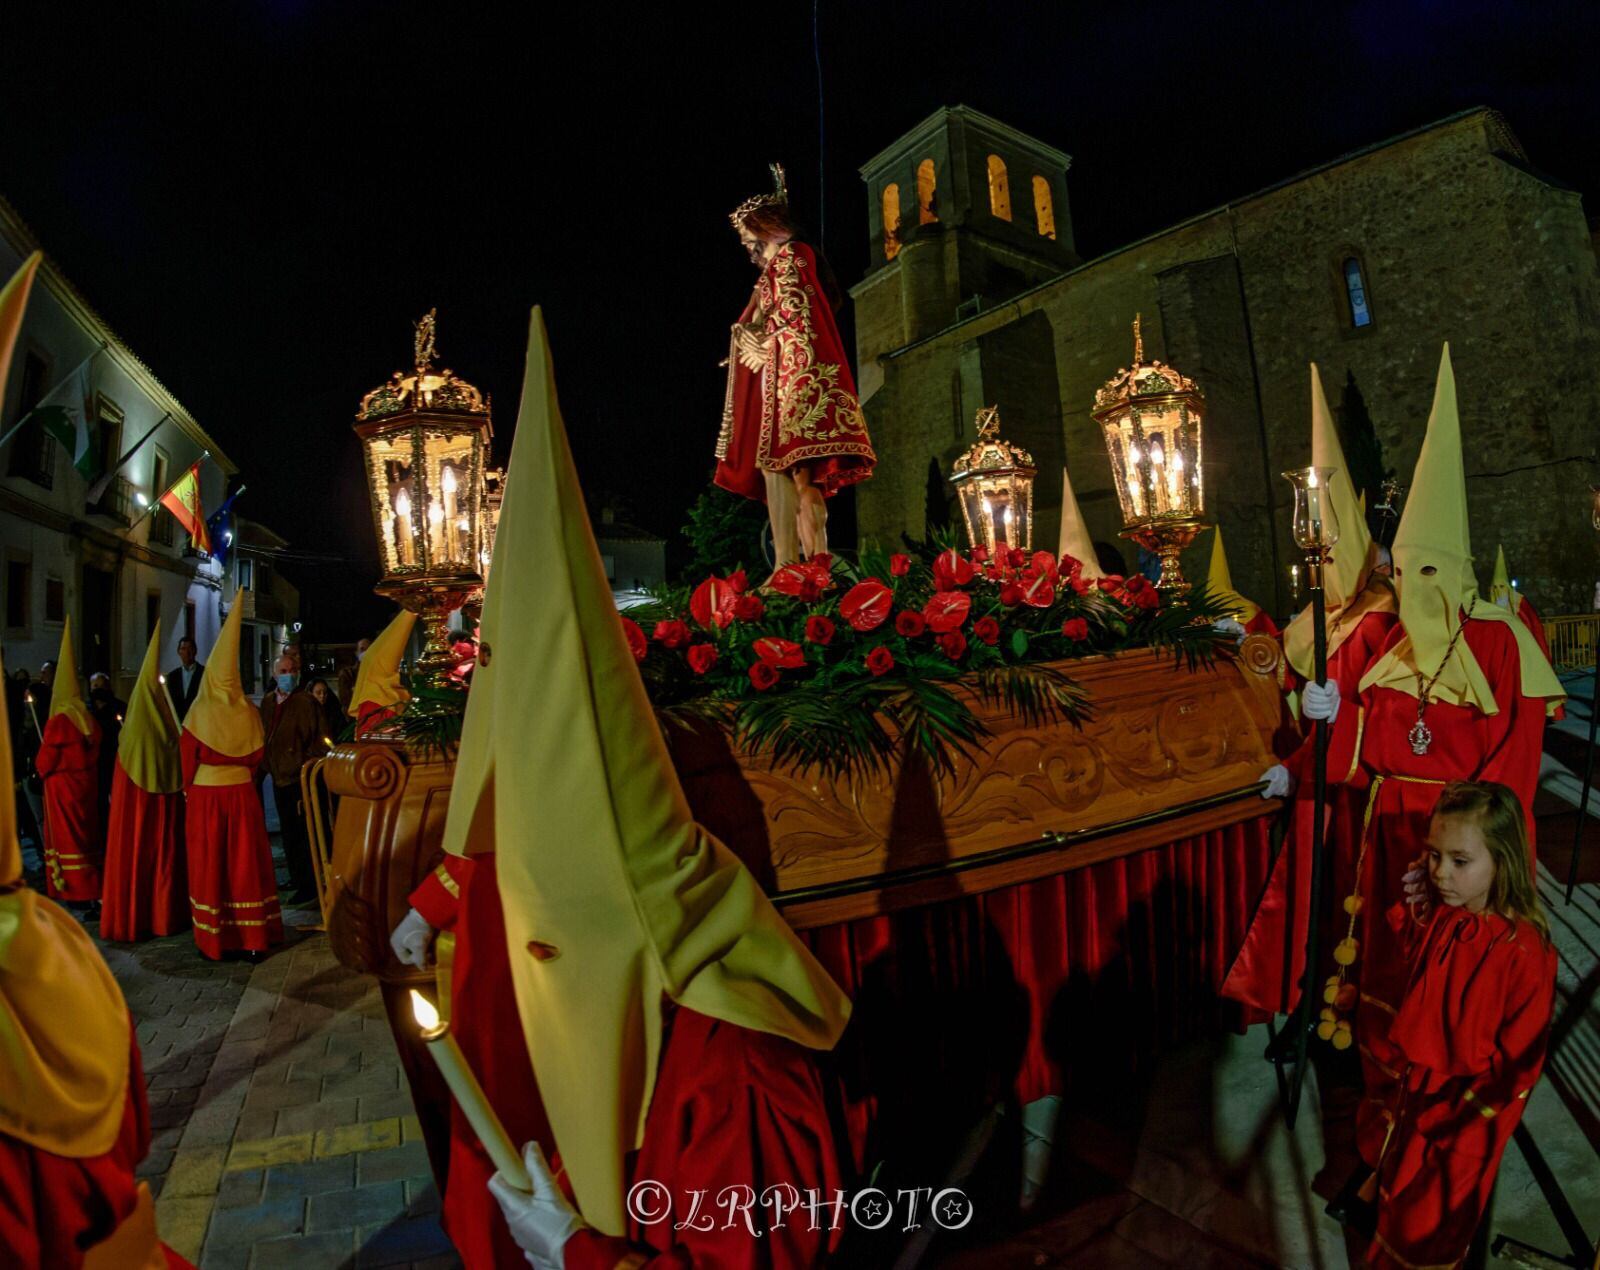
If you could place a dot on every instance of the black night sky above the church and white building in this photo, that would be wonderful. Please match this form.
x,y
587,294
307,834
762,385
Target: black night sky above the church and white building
x,y
262,198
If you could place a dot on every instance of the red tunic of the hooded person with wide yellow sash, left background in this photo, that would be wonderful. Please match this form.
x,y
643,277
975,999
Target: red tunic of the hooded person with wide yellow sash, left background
x,y
233,889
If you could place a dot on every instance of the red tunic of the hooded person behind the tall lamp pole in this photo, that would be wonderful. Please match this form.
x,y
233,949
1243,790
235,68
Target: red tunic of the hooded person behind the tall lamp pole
x,y
1260,975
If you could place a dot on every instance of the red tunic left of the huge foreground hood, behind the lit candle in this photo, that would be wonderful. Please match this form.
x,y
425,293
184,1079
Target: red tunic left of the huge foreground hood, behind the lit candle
x,y
486,1024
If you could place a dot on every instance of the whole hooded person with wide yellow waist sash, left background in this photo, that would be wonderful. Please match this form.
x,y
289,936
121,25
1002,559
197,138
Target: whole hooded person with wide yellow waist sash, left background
x,y
233,887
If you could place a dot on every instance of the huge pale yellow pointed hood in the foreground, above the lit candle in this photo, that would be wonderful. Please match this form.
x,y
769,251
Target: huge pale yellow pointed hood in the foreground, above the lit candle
x,y
615,898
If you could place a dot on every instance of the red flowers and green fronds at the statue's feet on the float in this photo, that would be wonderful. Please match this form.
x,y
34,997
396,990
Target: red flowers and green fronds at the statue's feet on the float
x,y
834,663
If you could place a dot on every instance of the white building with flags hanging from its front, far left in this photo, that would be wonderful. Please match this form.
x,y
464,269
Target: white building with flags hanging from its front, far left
x,y
110,565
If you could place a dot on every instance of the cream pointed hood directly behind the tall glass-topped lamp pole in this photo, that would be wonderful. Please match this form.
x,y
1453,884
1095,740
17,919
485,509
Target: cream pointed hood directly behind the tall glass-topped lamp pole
x,y
1350,569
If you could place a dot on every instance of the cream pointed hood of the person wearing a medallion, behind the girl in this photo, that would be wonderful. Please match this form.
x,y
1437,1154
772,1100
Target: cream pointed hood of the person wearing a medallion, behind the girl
x,y
1433,554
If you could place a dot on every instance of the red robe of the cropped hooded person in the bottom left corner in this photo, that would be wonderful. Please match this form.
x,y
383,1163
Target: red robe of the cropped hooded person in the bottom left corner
x,y
54,1207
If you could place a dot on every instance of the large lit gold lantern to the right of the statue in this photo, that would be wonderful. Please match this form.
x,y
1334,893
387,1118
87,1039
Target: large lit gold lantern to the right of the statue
x,y
1153,421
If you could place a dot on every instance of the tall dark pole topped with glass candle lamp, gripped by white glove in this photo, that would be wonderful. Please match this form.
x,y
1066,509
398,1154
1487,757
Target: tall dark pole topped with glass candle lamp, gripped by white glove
x,y
1316,530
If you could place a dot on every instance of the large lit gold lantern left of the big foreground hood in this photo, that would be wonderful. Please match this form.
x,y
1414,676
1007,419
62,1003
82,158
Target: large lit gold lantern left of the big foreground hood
x,y
425,437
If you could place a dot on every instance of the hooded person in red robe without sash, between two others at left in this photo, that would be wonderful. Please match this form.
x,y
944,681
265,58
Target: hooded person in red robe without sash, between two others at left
x,y
146,881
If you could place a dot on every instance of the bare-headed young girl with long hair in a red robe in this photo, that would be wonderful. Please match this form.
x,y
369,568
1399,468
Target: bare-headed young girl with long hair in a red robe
x,y
1471,1029
